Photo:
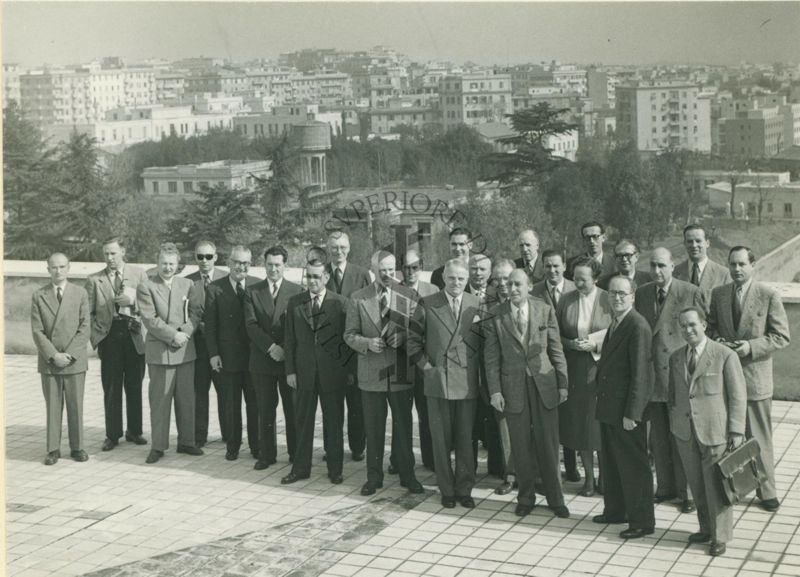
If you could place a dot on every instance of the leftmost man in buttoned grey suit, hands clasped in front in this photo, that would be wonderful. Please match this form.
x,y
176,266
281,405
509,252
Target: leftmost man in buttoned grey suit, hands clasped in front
x,y
60,326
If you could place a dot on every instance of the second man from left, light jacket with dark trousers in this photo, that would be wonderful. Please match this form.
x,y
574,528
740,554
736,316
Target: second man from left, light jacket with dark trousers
x,y
118,336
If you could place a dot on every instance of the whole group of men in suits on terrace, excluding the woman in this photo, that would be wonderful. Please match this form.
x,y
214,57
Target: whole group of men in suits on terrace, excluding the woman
x,y
487,341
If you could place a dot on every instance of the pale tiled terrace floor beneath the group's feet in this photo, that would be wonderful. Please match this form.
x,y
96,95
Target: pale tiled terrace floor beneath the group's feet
x,y
114,516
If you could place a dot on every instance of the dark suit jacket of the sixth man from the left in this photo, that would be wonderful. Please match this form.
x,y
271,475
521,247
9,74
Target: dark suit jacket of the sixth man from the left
x,y
265,321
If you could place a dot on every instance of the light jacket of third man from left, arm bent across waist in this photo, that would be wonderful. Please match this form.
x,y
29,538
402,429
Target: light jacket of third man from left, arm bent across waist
x,y
164,313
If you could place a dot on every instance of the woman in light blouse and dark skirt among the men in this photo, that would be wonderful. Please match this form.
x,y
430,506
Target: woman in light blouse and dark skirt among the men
x,y
583,317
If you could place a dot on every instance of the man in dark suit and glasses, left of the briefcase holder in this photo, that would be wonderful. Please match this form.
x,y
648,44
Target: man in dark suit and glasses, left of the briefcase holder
x,y
624,389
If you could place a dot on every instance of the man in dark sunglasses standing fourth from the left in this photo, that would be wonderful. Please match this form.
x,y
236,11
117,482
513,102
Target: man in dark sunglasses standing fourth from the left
x,y
205,254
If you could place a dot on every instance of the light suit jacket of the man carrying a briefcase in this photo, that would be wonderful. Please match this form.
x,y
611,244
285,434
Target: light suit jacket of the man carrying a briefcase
x,y
713,399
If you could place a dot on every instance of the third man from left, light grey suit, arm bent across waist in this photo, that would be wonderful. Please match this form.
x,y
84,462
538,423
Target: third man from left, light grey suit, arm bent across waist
x,y
169,313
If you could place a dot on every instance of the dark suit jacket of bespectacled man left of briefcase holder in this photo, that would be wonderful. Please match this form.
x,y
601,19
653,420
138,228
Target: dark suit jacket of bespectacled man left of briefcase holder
x,y
624,372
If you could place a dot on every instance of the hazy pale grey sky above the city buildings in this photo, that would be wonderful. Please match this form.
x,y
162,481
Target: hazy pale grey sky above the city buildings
x,y
35,33
